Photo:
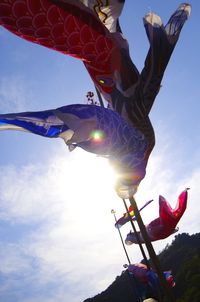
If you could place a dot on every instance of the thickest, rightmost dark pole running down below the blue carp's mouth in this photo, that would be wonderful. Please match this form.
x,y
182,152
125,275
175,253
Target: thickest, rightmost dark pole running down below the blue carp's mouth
x,y
151,251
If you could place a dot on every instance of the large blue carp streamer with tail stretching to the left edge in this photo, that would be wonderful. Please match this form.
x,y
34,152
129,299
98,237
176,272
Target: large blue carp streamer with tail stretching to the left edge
x,y
124,145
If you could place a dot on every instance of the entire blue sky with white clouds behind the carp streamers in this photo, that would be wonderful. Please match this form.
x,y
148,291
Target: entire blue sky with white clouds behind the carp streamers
x,y
56,232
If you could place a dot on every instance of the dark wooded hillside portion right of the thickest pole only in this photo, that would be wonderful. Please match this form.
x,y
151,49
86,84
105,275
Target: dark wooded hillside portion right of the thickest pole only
x,y
183,258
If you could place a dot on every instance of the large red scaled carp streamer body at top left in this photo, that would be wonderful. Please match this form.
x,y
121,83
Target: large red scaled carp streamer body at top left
x,y
67,28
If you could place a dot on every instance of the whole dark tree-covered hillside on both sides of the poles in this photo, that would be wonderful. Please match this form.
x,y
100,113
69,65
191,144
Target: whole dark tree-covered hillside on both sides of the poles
x,y
182,257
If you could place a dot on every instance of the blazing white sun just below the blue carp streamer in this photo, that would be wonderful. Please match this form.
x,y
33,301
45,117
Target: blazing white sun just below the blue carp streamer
x,y
84,174
